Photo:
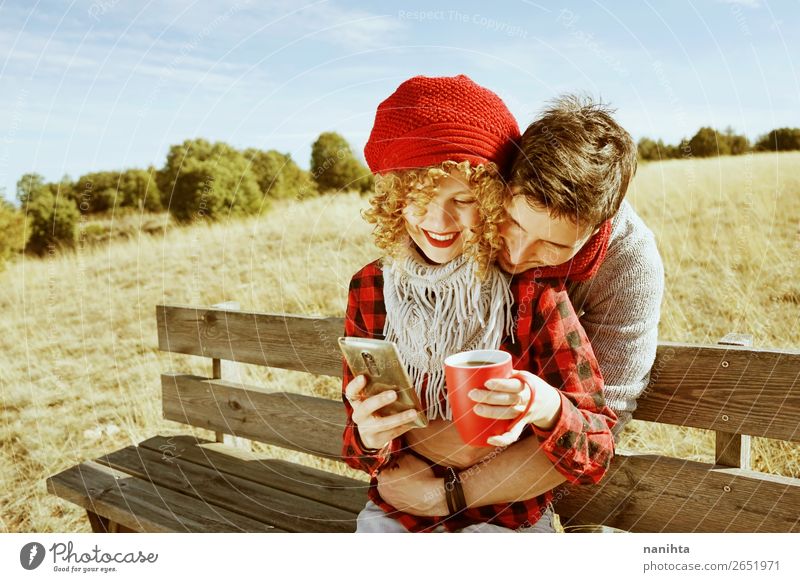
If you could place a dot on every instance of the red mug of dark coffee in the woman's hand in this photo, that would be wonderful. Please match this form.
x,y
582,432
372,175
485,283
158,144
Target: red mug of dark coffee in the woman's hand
x,y
468,370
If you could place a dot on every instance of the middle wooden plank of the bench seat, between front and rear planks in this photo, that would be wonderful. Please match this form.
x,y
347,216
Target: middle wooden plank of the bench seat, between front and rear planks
x,y
242,497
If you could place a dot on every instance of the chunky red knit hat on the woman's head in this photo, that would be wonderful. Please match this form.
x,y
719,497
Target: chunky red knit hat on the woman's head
x,y
429,120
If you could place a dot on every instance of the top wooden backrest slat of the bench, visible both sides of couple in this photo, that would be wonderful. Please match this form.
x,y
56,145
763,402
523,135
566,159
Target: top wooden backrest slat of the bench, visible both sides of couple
x,y
723,388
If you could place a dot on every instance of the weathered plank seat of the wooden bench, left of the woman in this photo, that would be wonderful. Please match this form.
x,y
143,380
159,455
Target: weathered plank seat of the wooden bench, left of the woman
x,y
186,484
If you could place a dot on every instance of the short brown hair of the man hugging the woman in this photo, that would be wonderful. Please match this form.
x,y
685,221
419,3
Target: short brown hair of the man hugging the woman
x,y
576,161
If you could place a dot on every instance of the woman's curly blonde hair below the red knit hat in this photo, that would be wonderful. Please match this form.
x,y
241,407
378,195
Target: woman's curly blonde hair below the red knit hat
x,y
395,190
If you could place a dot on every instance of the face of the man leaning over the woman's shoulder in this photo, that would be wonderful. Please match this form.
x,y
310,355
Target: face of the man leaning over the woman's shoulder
x,y
533,238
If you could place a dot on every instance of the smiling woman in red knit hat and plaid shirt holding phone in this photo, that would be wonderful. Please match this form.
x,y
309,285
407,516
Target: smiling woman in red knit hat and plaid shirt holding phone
x,y
437,147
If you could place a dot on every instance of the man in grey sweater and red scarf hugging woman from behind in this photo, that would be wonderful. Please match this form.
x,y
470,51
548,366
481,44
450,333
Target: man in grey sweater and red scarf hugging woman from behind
x,y
566,219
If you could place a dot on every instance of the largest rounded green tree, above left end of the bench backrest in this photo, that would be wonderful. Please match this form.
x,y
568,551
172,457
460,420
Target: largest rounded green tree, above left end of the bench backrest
x,y
201,180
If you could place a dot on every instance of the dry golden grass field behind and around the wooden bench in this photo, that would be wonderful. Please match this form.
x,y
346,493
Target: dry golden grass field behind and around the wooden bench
x,y
79,359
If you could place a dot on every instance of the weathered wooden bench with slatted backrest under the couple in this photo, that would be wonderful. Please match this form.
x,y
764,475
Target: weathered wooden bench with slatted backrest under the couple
x,y
181,483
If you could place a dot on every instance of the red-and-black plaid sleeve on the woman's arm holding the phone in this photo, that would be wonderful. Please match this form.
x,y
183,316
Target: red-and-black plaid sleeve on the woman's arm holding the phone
x,y
364,318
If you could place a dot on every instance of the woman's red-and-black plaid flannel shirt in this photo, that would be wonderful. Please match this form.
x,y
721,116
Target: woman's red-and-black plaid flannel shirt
x,y
549,342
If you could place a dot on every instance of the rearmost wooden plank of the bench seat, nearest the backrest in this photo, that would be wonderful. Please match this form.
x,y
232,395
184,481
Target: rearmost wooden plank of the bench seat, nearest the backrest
x,y
308,482
